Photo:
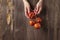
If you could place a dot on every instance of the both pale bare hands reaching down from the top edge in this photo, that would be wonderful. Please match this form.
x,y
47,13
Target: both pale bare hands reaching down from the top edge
x,y
37,8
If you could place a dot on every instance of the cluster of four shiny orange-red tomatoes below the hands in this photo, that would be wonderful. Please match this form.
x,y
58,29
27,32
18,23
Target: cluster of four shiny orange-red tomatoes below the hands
x,y
34,20
